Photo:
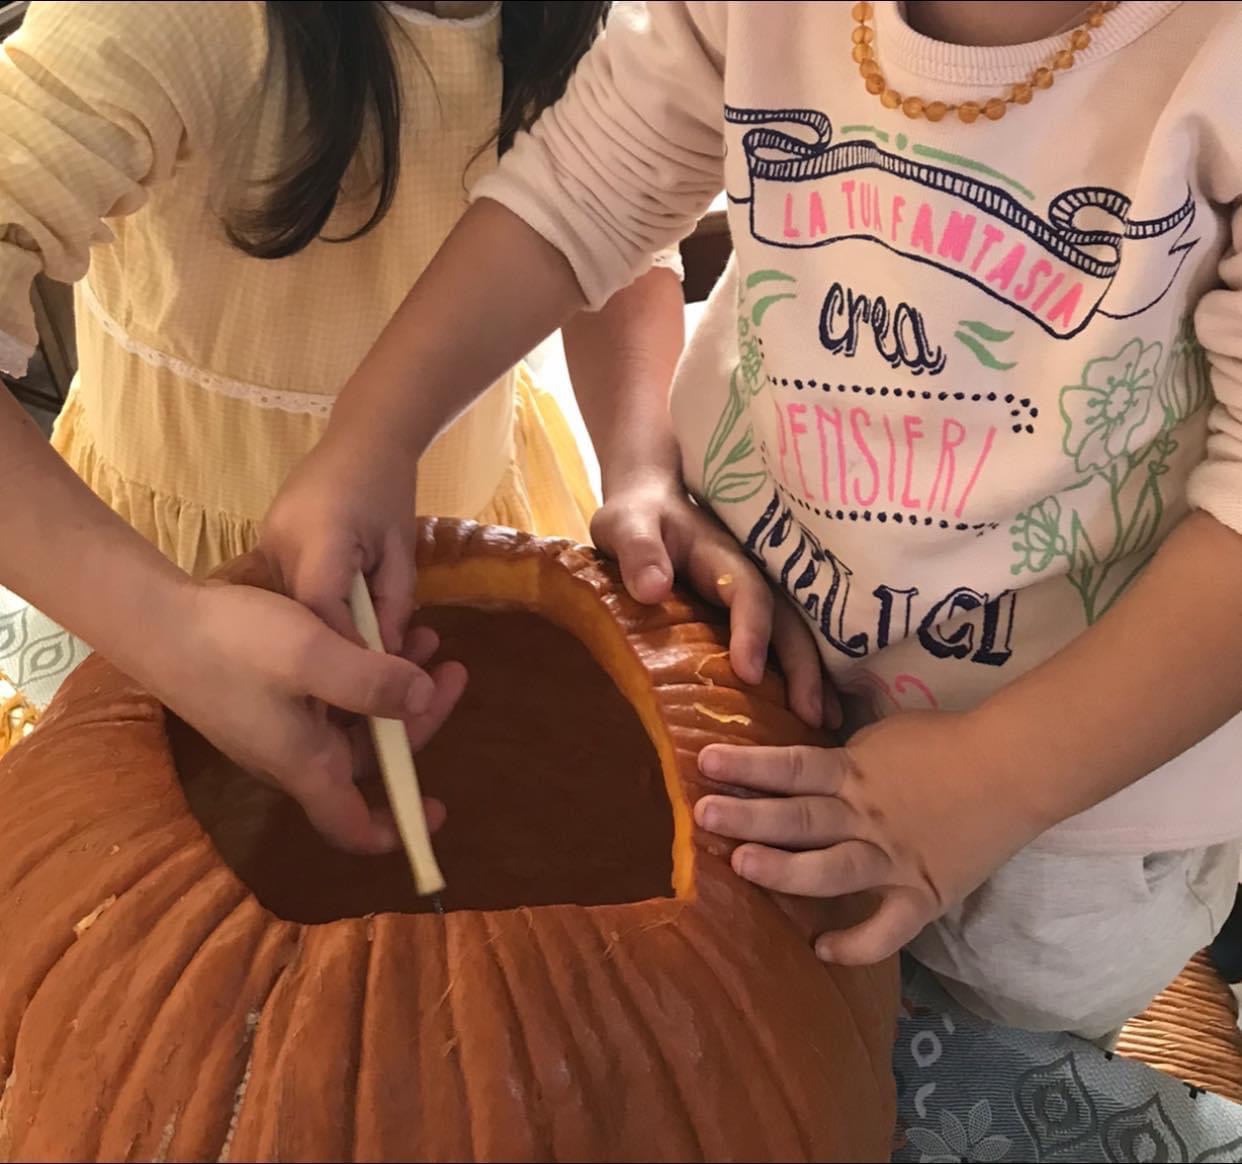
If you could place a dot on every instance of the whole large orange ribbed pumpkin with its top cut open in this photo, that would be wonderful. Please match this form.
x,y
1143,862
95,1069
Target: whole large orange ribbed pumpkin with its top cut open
x,y
189,973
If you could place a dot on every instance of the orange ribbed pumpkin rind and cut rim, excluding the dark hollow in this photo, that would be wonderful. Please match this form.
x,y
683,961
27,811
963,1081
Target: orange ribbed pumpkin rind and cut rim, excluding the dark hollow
x,y
184,1022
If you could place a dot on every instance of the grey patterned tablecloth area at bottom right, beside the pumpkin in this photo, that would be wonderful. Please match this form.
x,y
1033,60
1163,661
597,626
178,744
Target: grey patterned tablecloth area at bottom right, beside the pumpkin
x,y
972,1091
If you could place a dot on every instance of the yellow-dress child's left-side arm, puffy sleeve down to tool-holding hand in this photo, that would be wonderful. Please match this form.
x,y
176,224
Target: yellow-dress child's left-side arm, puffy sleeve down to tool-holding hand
x,y
97,106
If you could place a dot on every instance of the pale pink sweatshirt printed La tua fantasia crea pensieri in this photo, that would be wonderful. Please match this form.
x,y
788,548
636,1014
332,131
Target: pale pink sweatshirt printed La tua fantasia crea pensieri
x,y
961,381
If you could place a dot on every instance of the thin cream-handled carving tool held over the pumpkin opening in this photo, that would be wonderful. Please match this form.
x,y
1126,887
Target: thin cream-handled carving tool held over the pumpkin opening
x,y
397,766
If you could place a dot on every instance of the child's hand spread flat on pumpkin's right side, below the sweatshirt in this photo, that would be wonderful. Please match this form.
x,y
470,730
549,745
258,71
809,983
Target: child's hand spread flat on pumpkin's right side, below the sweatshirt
x,y
916,809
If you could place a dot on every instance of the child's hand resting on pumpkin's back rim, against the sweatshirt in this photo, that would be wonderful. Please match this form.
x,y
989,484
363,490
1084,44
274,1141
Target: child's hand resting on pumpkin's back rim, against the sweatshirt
x,y
656,532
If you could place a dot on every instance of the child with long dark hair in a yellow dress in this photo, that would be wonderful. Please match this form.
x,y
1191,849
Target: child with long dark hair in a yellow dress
x,y
254,188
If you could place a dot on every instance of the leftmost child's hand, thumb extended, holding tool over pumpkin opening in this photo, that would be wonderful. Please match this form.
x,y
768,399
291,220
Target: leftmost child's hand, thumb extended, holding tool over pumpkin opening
x,y
256,674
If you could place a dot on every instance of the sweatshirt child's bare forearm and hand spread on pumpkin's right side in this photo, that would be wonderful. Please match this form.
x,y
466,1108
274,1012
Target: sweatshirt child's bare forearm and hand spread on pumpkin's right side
x,y
923,807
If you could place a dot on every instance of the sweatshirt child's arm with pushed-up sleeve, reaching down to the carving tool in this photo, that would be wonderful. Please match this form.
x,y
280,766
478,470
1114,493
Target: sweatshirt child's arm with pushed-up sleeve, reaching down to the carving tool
x,y
619,170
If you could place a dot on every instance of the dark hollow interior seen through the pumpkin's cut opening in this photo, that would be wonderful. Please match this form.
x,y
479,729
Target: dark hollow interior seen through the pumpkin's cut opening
x,y
555,792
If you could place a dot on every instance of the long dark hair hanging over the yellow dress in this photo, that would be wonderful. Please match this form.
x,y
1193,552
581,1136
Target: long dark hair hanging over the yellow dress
x,y
341,60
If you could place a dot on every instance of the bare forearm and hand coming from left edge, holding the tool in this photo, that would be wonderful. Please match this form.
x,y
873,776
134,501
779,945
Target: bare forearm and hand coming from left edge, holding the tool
x,y
194,647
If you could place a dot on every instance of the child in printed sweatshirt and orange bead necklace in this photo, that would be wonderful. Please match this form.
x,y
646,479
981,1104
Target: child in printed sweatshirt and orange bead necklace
x,y
952,396
